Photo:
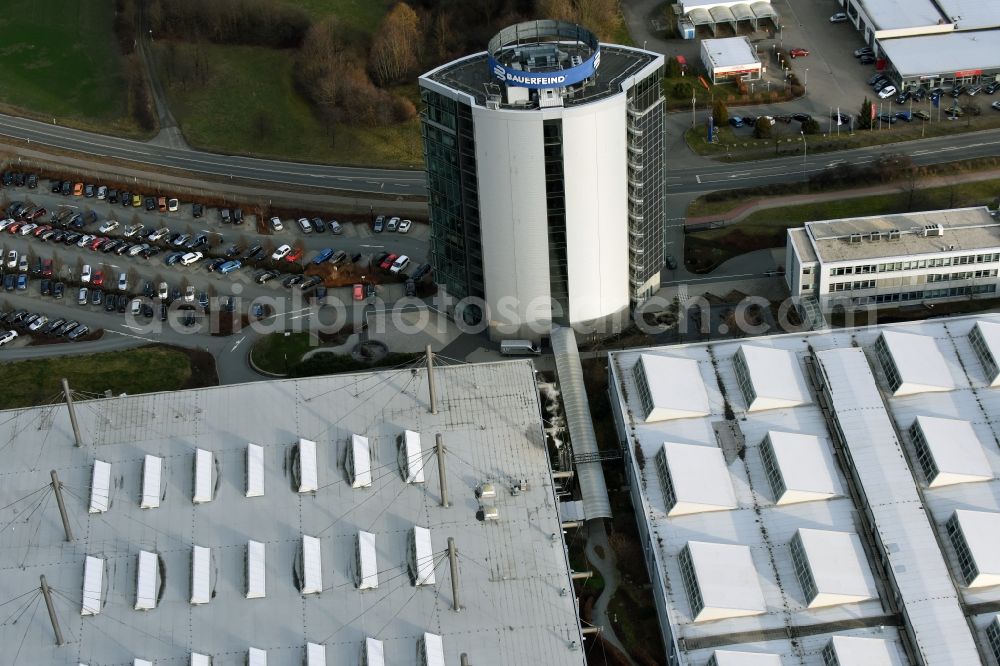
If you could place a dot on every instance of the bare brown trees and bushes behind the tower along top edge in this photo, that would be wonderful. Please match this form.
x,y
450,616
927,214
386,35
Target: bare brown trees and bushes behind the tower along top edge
x,y
347,75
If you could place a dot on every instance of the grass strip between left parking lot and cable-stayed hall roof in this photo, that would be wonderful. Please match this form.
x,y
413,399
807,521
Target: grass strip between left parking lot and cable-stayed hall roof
x,y
143,370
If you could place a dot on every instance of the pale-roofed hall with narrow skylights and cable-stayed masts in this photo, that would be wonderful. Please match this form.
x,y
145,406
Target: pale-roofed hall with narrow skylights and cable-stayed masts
x,y
293,522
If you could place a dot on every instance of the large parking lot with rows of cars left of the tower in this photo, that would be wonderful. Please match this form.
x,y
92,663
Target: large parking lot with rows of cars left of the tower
x,y
41,267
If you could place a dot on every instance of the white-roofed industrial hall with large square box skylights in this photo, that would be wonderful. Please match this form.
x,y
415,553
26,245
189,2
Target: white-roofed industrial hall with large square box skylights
x,y
865,519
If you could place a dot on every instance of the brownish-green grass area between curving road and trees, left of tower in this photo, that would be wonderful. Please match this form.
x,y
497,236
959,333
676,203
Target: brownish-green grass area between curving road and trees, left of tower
x,y
248,105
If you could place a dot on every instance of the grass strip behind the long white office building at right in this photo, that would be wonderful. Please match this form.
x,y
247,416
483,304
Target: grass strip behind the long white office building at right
x,y
705,250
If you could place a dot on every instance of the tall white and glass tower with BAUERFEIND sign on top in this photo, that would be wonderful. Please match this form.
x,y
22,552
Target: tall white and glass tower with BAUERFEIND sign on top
x,y
545,172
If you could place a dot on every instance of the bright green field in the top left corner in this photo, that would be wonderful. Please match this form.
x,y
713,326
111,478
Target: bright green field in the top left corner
x,y
60,60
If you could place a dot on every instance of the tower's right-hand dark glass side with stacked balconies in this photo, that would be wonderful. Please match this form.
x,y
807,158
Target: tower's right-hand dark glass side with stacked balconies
x,y
646,184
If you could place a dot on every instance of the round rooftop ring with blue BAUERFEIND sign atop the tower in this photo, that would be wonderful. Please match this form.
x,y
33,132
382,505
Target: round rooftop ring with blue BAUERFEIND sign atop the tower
x,y
544,54
